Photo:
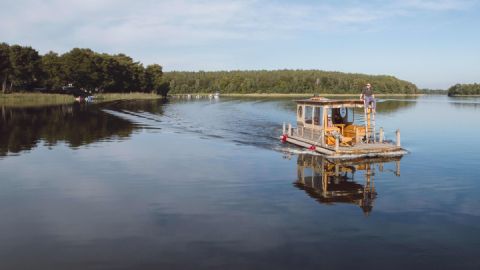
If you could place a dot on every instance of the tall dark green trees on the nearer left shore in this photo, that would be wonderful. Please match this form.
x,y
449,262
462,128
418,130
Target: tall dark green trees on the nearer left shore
x,y
22,68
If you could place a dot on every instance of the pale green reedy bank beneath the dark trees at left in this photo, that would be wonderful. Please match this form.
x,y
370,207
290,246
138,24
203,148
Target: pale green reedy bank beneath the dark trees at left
x,y
38,99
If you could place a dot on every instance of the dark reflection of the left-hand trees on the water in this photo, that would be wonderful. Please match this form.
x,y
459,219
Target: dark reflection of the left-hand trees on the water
x,y
76,124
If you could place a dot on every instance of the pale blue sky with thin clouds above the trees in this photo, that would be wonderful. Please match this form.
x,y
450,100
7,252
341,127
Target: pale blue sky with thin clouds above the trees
x,y
433,43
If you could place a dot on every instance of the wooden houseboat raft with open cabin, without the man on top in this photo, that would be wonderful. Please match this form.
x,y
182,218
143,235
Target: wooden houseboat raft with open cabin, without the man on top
x,y
333,128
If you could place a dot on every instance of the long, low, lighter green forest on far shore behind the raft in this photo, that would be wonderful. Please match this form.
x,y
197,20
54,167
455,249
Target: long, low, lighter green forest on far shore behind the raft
x,y
283,81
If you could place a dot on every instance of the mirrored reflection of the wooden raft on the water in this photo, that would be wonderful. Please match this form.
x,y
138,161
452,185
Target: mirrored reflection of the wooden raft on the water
x,y
333,181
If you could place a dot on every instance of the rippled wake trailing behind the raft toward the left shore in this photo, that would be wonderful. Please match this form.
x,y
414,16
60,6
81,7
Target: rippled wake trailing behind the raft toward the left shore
x,y
241,122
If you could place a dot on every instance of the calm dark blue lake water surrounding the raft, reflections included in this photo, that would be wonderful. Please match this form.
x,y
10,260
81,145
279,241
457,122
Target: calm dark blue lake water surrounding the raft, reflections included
x,y
203,184
